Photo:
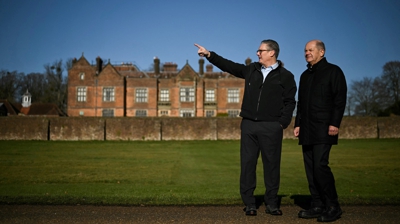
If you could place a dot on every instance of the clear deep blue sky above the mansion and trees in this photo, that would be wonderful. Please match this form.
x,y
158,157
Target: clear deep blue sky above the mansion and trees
x,y
360,36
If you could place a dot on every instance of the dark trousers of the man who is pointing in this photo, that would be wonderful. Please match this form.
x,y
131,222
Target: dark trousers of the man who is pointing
x,y
264,137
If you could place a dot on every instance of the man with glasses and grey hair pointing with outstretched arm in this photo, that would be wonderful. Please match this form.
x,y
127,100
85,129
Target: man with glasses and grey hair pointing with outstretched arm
x,y
267,108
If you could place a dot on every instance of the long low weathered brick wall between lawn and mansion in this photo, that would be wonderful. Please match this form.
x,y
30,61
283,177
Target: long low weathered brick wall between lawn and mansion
x,y
164,128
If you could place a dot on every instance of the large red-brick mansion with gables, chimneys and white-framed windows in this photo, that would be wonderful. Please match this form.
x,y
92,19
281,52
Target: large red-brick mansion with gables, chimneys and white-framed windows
x,y
124,91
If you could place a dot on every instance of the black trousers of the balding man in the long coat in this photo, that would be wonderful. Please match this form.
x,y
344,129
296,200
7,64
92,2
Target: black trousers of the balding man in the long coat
x,y
321,181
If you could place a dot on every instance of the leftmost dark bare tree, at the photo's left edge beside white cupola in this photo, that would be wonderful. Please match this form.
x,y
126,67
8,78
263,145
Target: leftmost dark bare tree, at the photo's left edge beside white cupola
x,y
10,83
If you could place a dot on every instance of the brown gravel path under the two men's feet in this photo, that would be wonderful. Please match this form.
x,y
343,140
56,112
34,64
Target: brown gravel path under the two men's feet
x,y
176,214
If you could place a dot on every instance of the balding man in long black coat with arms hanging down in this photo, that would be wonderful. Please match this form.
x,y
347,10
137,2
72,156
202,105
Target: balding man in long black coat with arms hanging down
x,y
321,104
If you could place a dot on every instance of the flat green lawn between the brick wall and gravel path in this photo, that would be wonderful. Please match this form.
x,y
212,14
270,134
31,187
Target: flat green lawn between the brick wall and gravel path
x,y
182,172
